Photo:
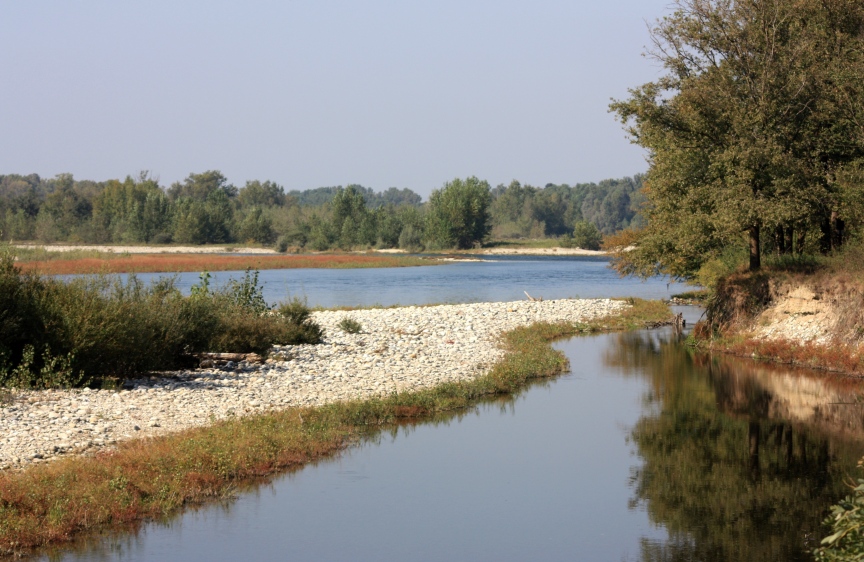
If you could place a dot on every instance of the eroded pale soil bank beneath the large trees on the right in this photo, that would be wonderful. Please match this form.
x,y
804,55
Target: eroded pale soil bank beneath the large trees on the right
x,y
812,320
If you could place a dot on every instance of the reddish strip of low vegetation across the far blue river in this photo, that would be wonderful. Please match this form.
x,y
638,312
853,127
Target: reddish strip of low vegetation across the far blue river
x,y
159,263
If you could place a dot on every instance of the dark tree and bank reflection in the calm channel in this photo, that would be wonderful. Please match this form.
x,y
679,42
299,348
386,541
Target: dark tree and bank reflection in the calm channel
x,y
740,461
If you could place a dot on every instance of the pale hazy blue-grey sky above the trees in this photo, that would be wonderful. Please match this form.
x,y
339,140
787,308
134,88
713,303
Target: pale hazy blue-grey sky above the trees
x,y
312,93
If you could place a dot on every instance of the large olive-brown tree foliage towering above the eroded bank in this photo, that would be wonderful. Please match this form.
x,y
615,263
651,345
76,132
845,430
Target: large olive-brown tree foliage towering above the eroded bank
x,y
741,131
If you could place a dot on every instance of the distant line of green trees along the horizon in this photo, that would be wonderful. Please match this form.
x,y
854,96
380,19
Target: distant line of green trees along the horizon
x,y
206,209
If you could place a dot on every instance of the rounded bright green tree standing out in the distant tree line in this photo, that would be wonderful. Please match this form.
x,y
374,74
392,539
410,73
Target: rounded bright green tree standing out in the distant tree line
x,y
459,214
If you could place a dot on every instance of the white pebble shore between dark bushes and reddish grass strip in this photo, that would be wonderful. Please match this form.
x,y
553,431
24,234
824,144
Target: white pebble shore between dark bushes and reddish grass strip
x,y
398,350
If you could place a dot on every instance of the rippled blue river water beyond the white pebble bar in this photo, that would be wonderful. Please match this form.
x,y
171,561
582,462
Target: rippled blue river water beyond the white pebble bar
x,y
501,279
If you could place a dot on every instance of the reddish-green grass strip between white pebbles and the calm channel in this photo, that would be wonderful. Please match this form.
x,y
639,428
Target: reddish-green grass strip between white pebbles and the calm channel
x,y
155,478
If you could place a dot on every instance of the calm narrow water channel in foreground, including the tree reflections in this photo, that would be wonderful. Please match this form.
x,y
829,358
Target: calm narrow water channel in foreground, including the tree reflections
x,y
644,451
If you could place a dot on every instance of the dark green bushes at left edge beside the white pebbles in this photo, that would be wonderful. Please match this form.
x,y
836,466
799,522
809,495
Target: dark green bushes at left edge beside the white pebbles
x,y
99,329
